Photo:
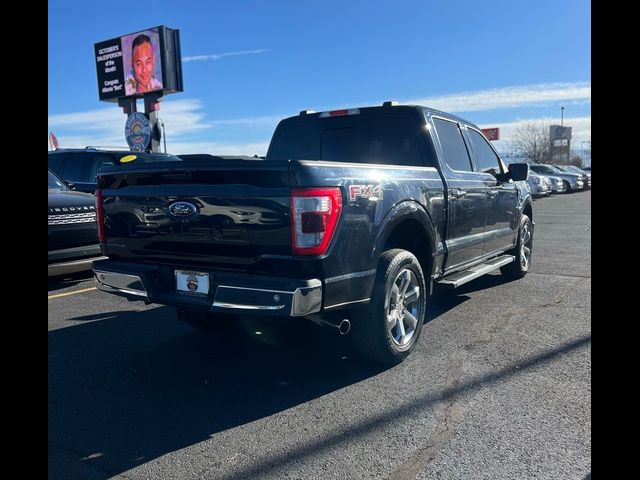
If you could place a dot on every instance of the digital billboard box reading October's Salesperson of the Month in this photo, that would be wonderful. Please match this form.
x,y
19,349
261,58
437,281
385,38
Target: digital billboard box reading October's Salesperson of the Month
x,y
138,63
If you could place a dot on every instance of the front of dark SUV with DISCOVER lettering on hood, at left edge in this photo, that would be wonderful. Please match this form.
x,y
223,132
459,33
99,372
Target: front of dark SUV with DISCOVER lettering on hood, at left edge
x,y
73,231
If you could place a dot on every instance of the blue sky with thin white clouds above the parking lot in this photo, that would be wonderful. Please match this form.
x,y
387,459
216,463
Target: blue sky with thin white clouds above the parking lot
x,y
249,64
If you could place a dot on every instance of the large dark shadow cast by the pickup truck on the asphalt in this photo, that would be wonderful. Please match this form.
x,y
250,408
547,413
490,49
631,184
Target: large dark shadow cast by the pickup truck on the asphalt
x,y
127,387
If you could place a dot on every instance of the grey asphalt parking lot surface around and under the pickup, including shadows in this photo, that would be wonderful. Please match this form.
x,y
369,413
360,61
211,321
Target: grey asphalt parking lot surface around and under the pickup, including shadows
x,y
499,386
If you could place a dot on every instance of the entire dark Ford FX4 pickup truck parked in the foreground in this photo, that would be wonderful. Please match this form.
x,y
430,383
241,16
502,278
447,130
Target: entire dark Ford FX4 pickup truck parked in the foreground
x,y
350,219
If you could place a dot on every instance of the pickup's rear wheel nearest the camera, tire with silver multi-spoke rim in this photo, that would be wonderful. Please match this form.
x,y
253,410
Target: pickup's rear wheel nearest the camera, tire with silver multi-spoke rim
x,y
389,327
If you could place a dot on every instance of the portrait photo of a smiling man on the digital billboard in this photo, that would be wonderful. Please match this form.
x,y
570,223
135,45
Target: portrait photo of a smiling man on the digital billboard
x,y
142,62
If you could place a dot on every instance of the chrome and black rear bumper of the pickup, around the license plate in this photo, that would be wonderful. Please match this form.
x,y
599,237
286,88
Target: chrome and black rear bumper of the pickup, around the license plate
x,y
228,293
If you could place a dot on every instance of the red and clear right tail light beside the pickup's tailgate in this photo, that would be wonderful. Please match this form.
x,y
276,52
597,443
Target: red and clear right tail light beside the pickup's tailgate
x,y
314,217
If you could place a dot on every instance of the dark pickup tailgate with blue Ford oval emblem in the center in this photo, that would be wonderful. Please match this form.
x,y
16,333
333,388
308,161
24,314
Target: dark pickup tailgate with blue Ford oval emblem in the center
x,y
228,213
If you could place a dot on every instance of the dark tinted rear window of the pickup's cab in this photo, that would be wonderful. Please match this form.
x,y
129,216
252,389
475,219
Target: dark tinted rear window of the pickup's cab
x,y
390,139
